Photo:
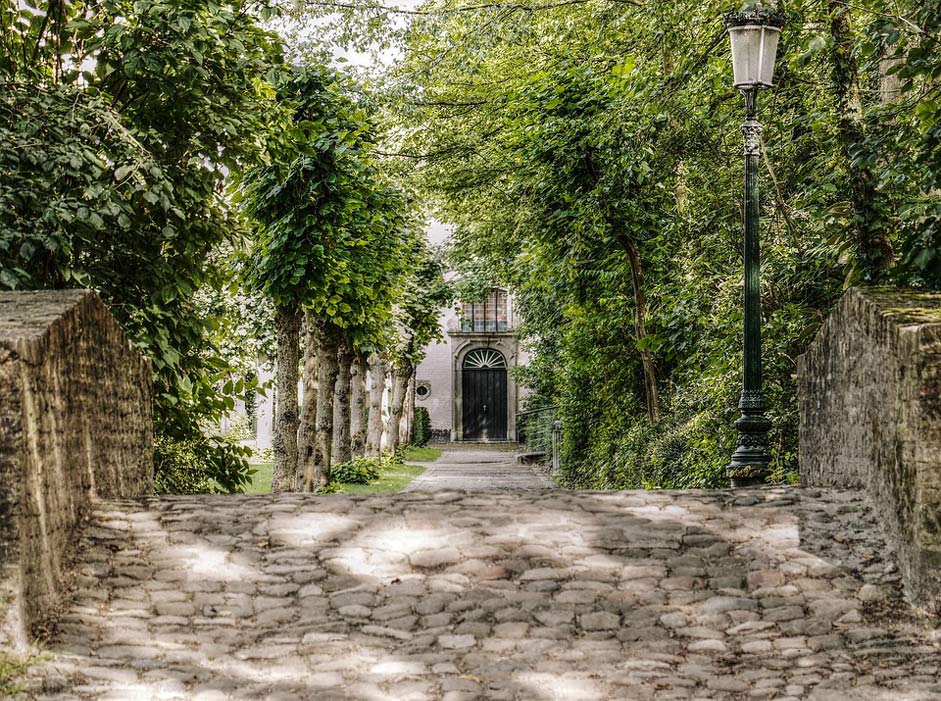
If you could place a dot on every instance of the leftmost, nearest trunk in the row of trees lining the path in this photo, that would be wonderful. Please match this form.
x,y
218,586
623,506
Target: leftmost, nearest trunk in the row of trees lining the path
x,y
284,442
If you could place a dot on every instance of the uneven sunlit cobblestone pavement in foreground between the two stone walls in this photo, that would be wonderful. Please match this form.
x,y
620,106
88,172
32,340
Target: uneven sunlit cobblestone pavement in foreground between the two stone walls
x,y
760,594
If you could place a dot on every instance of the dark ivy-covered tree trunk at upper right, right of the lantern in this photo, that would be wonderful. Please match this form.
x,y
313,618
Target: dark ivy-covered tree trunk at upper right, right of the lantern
x,y
871,244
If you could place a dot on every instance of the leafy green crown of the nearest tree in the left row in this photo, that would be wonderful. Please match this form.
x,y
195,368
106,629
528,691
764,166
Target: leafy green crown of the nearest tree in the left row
x,y
331,229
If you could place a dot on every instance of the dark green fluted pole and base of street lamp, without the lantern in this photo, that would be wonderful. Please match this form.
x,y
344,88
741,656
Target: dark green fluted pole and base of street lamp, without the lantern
x,y
751,459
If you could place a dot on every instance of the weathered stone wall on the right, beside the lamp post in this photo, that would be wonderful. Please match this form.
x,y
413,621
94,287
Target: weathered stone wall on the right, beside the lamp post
x,y
870,416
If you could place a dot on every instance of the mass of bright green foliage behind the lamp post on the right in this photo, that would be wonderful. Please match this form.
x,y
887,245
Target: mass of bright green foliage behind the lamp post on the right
x,y
599,126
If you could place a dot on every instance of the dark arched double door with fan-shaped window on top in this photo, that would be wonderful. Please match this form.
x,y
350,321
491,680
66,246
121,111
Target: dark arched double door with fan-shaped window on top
x,y
484,395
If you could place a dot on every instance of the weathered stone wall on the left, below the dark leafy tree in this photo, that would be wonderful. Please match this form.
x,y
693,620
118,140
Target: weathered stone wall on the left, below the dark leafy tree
x,y
75,425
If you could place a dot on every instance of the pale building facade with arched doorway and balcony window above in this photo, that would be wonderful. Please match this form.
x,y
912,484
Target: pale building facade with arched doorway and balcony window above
x,y
466,381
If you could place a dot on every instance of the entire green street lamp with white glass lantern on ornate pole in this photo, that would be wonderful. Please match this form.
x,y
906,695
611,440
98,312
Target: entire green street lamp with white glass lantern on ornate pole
x,y
754,36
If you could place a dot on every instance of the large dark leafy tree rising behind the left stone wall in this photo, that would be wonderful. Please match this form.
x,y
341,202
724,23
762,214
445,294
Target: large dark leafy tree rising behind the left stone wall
x,y
120,120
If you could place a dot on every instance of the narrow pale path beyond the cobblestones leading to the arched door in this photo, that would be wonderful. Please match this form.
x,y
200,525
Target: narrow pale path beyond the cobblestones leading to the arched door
x,y
476,470
